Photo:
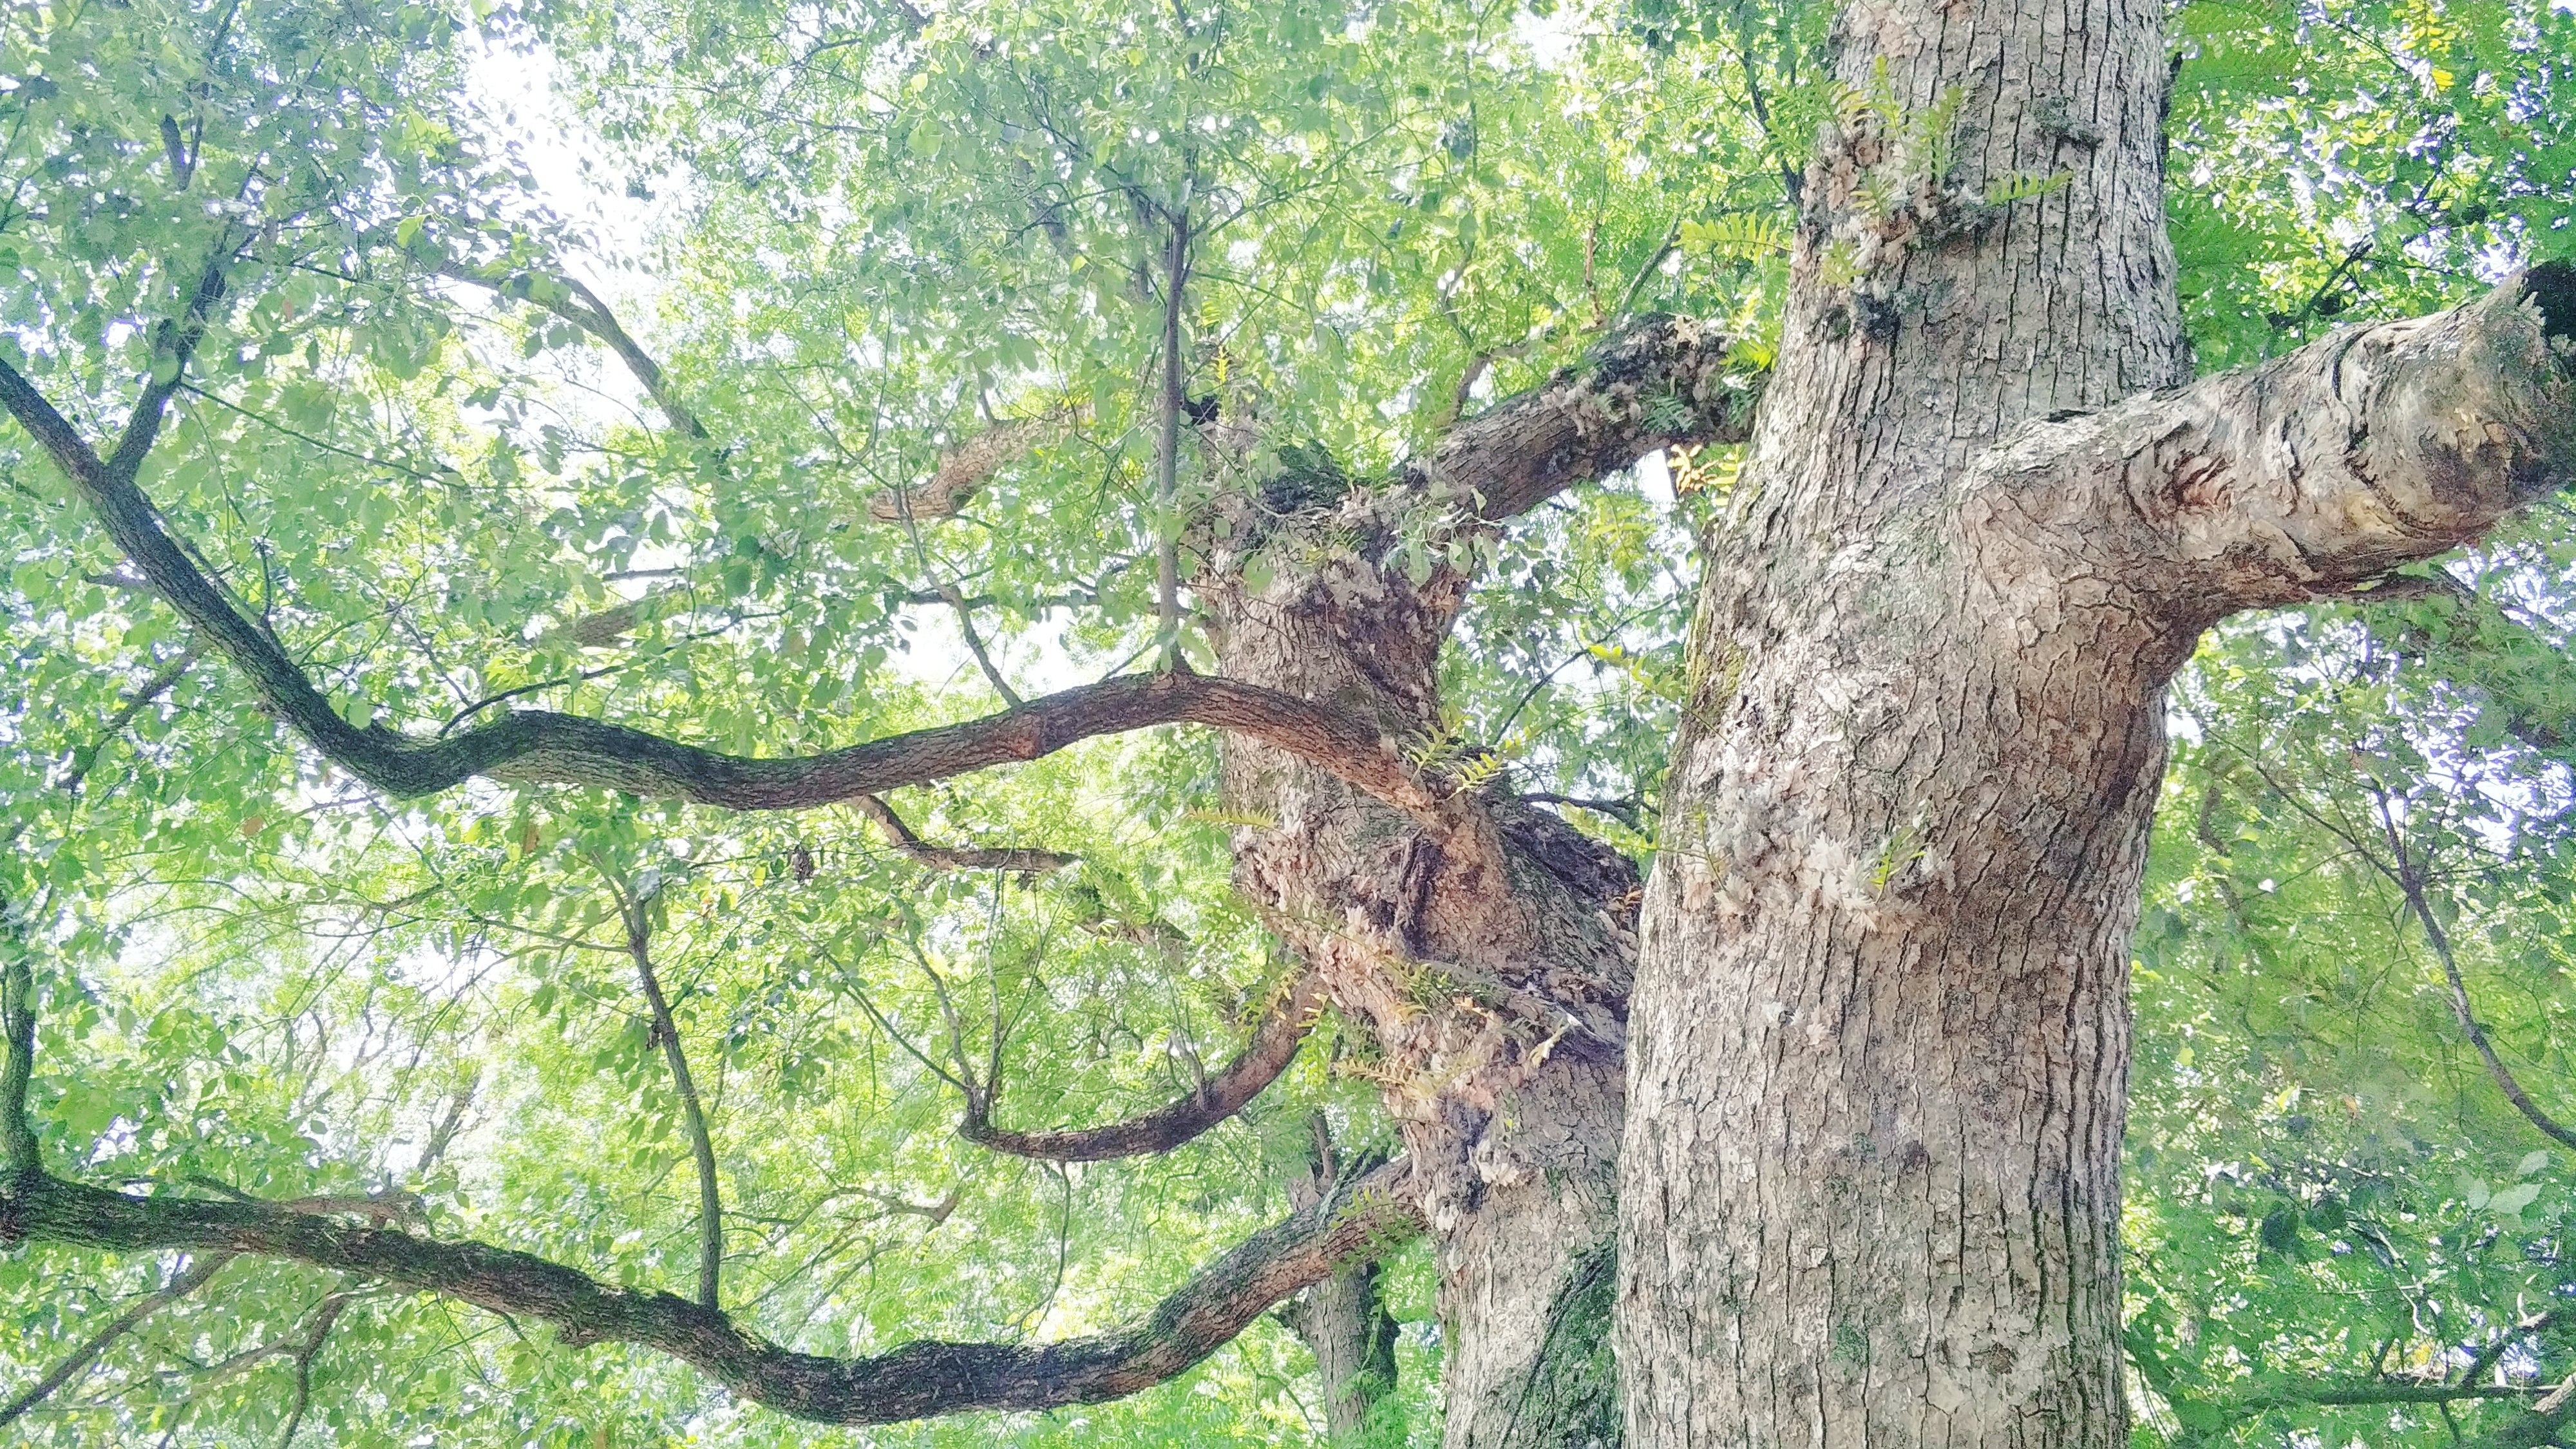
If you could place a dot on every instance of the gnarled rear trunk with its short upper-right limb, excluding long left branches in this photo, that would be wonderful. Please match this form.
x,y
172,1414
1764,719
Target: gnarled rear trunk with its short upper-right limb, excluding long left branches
x,y
1485,948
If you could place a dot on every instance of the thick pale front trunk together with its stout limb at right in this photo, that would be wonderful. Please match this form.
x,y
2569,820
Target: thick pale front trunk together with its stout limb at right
x,y
1882,1012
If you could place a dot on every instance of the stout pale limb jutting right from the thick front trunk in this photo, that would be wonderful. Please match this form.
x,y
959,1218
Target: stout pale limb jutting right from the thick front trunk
x,y
2315,473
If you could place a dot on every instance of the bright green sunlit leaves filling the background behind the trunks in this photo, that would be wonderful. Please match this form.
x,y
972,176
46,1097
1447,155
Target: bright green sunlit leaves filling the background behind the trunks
x,y
841,419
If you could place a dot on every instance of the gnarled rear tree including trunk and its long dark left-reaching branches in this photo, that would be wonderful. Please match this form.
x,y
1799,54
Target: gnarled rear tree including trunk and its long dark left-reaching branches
x,y
1480,942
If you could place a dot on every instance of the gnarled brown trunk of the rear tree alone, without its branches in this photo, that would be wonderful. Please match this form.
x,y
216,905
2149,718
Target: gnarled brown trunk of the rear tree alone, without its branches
x,y
1490,968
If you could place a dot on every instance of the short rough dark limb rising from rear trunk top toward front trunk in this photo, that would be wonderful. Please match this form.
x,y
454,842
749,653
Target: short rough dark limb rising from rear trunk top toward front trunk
x,y
1653,385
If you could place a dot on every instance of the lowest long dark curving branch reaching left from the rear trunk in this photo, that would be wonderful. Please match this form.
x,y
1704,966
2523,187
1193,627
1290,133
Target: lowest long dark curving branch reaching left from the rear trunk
x,y
916,1381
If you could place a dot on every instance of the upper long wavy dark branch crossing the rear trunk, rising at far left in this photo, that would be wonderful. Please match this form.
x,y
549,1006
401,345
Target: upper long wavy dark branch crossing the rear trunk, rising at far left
x,y
560,749
